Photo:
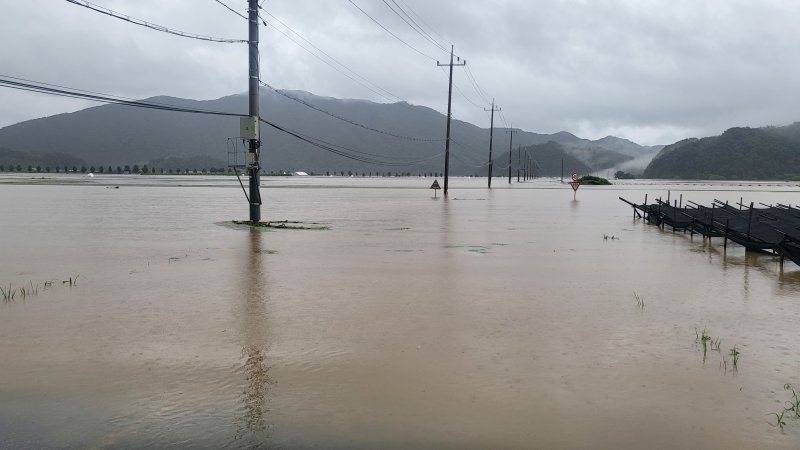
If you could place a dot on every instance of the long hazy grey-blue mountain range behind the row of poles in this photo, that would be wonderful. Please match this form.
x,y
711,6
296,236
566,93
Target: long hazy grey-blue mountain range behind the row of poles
x,y
410,138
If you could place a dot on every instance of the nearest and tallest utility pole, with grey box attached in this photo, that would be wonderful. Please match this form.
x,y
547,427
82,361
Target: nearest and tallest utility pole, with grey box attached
x,y
253,151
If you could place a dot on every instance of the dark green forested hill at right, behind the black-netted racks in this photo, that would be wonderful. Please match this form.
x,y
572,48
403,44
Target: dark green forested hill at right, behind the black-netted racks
x,y
771,153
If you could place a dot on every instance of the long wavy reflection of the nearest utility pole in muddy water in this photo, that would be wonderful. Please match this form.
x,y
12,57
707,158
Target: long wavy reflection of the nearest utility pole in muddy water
x,y
253,422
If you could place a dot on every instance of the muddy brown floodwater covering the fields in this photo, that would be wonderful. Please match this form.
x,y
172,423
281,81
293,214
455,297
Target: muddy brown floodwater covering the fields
x,y
492,319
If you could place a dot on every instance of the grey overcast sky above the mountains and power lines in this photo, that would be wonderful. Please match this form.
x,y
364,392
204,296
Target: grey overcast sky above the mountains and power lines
x,y
651,71
